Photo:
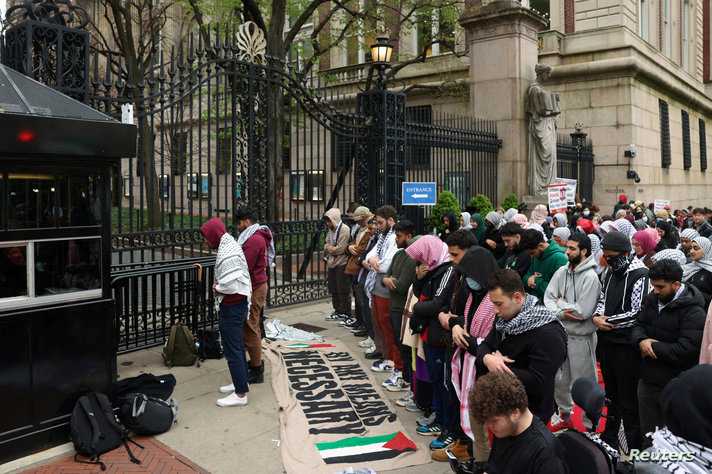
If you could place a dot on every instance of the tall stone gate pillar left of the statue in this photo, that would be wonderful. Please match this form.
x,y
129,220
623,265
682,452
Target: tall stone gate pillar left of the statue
x,y
502,38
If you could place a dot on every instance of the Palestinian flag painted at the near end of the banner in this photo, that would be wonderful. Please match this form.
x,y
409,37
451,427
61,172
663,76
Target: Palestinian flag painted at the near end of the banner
x,y
363,449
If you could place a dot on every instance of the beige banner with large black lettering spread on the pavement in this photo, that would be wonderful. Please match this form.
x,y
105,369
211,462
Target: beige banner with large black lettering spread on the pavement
x,y
333,414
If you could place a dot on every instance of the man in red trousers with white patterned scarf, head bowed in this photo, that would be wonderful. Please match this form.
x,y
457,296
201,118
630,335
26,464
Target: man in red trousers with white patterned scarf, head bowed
x,y
377,261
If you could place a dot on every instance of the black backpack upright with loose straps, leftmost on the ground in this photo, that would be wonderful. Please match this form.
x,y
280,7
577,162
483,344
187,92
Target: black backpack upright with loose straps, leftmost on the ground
x,y
95,429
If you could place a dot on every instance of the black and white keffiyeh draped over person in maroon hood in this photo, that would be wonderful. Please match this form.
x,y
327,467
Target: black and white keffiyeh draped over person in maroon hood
x,y
231,271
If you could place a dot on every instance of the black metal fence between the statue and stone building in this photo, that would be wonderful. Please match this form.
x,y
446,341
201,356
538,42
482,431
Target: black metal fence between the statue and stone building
x,y
576,161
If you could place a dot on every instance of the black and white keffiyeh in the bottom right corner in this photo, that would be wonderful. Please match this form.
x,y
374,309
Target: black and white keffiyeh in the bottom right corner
x,y
696,459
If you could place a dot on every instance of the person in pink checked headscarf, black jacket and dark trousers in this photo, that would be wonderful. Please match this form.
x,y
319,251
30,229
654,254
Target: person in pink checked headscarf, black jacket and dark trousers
x,y
433,288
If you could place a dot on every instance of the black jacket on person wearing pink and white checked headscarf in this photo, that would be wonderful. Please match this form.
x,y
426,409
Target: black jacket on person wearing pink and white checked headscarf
x,y
434,293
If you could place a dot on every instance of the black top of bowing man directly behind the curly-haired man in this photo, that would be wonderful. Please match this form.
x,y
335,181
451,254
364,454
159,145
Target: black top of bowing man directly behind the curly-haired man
x,y
537,356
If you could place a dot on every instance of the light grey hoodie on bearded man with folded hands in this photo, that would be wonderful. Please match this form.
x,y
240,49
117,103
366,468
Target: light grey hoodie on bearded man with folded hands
x,y
579,291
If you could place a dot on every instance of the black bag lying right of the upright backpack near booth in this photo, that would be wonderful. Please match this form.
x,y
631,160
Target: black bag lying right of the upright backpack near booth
x,y
143,414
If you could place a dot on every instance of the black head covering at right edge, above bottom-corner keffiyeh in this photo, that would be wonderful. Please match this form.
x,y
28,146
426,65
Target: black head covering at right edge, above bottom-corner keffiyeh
x,y
687,404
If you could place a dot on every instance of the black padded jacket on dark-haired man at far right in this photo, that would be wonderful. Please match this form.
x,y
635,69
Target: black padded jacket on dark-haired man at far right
x,y
678,327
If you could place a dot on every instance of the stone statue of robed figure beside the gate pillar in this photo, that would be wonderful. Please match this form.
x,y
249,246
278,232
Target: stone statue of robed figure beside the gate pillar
x,y
542,107
